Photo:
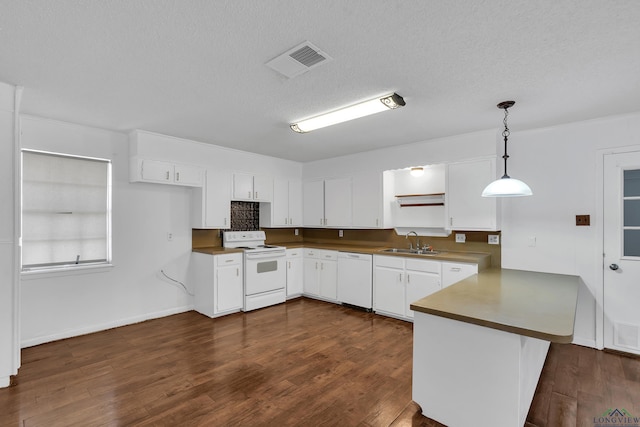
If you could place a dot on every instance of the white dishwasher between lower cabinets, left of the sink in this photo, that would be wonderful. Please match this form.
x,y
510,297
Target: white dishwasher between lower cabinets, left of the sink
x,y
355,281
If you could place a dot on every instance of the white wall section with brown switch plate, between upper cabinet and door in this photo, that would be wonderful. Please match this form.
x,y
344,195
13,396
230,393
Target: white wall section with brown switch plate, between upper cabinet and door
x,y
559,164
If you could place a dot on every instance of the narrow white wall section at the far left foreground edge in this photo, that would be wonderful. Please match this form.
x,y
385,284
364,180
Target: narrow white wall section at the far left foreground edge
x,y
9,354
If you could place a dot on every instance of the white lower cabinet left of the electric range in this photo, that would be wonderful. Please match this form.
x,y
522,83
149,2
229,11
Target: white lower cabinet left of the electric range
x,y
218,283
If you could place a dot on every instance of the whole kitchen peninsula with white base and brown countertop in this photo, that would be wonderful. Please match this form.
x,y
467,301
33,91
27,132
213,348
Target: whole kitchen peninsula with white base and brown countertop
x,y
480,344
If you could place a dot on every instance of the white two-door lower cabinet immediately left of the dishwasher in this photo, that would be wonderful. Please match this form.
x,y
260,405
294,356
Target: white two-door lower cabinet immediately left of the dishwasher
x,y
321,273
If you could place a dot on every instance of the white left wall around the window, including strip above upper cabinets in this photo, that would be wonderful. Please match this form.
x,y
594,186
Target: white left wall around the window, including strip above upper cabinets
x,y
58,306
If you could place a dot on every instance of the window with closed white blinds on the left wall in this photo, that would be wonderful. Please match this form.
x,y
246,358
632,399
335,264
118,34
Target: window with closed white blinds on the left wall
x,y
66,211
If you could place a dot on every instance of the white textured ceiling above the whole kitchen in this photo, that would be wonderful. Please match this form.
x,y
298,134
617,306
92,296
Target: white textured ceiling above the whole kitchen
x,y
195,69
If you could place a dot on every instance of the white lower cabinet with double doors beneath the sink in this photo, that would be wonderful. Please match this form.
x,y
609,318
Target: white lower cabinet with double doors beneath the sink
x,y
398,281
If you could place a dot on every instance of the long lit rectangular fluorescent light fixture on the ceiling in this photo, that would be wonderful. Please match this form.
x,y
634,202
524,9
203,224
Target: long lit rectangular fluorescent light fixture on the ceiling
x,y
366,108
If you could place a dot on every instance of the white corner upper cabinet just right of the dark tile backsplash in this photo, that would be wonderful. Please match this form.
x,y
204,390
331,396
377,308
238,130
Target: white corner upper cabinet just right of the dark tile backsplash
x,y
286,208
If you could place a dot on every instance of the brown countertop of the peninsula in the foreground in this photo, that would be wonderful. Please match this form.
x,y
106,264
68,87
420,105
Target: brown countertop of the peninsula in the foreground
x,y
539,305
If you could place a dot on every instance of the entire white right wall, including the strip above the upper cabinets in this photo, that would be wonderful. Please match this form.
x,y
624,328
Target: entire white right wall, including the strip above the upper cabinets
x,y
559,164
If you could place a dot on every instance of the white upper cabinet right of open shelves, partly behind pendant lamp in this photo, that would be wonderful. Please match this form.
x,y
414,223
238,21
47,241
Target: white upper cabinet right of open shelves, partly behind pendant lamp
x,y
466,208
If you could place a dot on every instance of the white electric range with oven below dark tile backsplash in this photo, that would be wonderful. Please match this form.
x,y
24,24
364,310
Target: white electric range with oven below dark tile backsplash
x,y
265,275
